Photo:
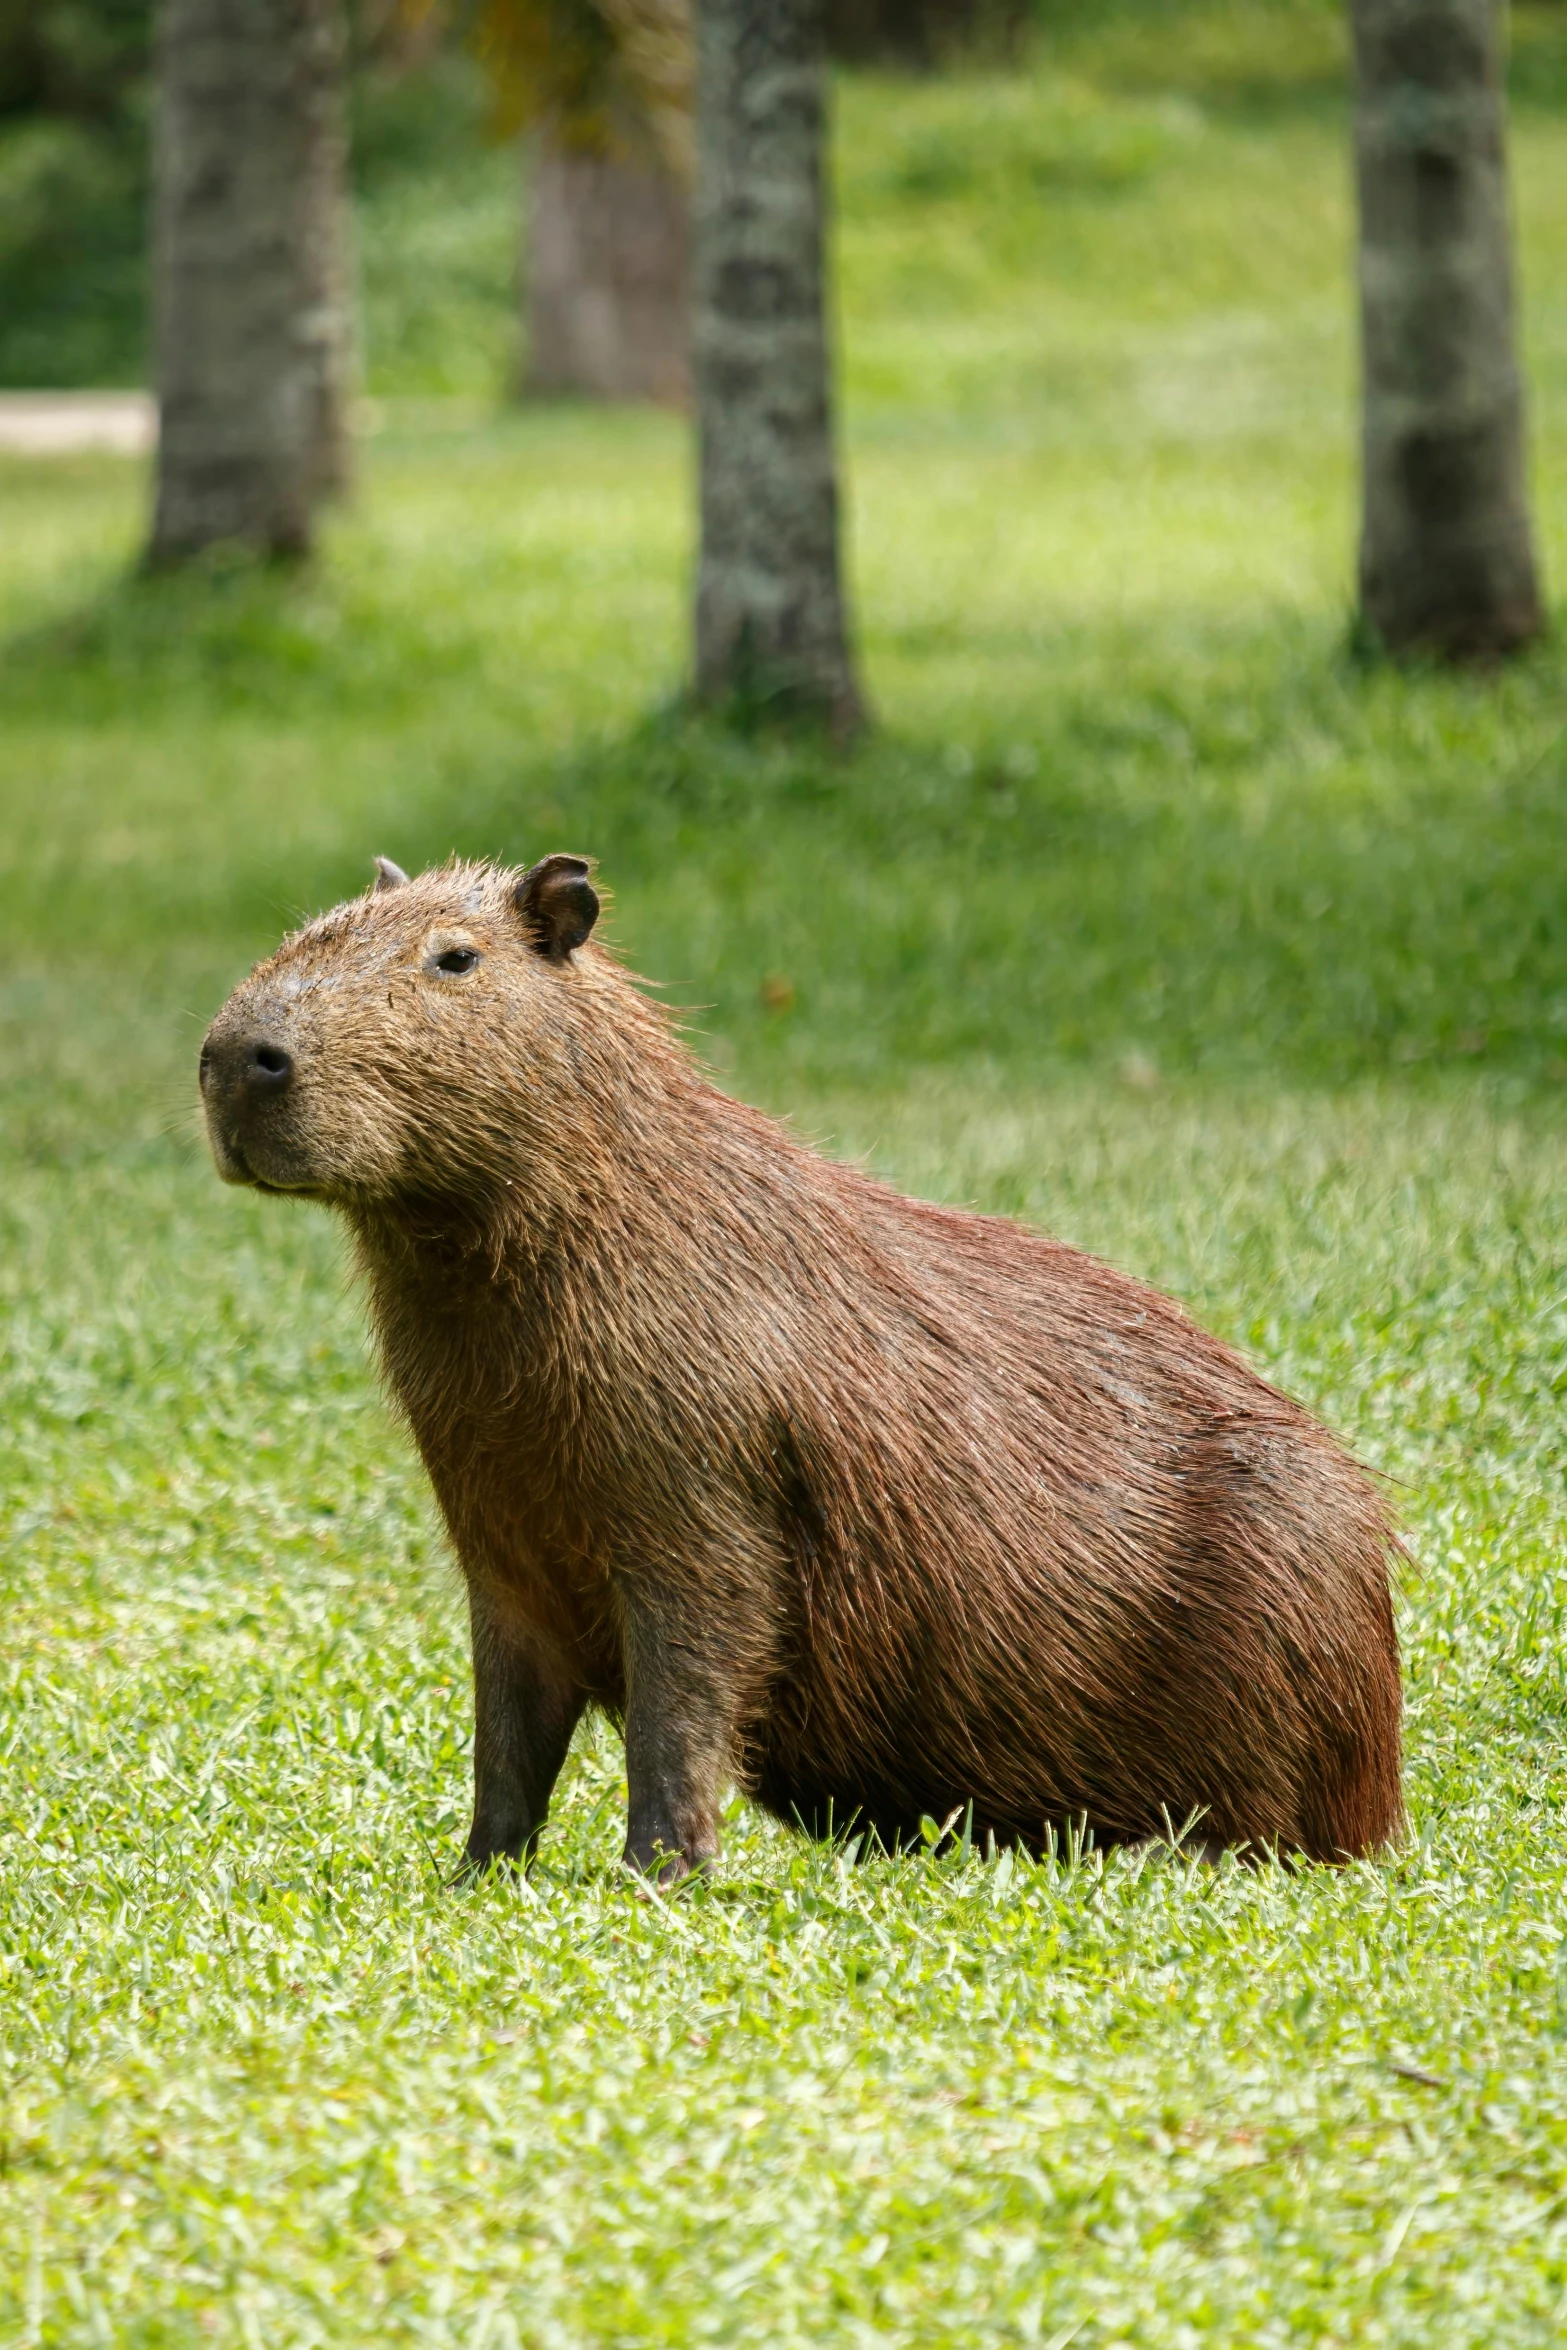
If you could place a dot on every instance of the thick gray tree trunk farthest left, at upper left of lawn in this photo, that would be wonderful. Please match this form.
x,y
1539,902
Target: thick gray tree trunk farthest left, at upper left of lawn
x,y
250,264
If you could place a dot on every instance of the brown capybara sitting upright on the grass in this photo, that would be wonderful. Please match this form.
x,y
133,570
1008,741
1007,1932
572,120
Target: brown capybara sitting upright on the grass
x,y
880,1510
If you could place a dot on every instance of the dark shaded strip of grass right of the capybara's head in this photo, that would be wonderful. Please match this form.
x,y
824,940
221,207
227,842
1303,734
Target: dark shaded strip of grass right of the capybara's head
x,y
1103,887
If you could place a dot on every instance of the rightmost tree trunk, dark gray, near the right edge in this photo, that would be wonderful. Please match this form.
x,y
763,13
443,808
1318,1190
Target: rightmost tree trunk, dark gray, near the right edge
x,y
1446,553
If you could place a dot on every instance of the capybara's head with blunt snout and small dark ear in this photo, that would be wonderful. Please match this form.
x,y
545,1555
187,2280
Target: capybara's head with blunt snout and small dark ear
x,y
386,1045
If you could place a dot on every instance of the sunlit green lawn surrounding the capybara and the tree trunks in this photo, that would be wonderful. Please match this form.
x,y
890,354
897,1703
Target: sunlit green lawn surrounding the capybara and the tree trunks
x,y
1148,915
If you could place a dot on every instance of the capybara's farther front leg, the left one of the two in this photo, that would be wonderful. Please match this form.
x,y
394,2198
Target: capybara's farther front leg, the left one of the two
x,y
525,1714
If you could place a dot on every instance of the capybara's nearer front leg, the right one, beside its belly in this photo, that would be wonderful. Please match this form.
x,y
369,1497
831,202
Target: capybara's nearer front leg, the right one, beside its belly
x,y
682,1703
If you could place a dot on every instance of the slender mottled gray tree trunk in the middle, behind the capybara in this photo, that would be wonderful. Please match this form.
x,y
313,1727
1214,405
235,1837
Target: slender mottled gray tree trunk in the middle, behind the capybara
x,y
769,610
